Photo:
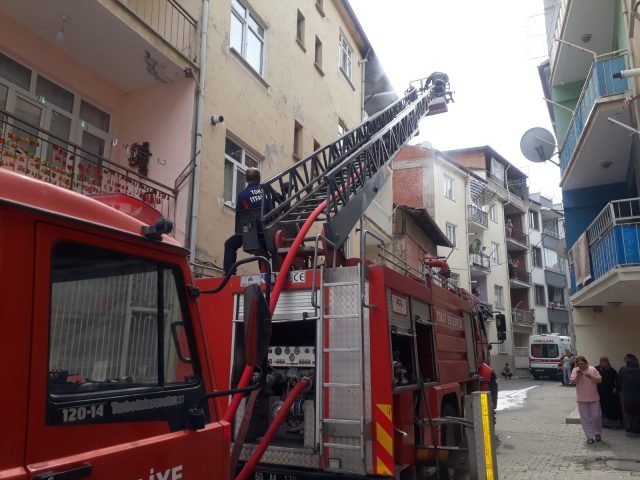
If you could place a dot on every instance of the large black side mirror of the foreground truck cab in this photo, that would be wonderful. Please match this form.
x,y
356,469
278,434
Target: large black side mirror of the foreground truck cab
x,y
257,326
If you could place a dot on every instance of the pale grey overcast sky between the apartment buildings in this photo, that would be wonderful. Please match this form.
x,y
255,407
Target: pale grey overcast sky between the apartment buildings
x,y
488,48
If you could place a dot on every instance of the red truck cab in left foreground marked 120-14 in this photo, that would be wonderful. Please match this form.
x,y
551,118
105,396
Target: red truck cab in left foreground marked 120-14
x,y
104,353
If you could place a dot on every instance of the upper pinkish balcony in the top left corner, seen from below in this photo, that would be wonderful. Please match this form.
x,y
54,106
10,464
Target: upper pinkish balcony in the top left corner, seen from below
x,y
134,44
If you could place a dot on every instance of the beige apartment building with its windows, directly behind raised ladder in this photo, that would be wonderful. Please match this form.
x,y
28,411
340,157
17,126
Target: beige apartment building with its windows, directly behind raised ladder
x,y
287,77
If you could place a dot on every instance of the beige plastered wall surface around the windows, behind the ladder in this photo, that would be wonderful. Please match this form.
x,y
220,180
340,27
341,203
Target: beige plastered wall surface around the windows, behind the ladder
x,y
260,111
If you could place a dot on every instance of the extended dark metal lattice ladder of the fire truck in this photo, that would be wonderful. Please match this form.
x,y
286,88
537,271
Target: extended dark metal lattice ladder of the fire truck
x,y
348,173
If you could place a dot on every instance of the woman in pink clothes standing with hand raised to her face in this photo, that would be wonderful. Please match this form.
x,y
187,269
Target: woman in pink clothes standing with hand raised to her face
x,y
586,380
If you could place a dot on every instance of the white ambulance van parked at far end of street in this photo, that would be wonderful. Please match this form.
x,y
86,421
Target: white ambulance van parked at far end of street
x,y
545,354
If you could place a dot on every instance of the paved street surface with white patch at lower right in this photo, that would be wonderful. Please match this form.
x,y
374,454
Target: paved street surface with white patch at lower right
x,y
534,442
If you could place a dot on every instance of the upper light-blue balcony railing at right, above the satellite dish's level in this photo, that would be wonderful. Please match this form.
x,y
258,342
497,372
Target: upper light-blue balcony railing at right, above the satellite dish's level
x,y
599,83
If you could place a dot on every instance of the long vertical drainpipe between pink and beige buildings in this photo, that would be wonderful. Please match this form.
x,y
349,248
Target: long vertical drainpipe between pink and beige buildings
x,y
195,188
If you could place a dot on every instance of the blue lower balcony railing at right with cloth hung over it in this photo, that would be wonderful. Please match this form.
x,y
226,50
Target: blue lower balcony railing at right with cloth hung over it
x,y
614,236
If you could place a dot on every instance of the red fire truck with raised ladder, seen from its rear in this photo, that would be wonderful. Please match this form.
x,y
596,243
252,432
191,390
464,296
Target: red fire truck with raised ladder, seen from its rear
x,y
367,364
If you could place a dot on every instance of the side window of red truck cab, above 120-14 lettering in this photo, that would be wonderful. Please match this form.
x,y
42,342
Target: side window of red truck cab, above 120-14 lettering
x,y
110,339
